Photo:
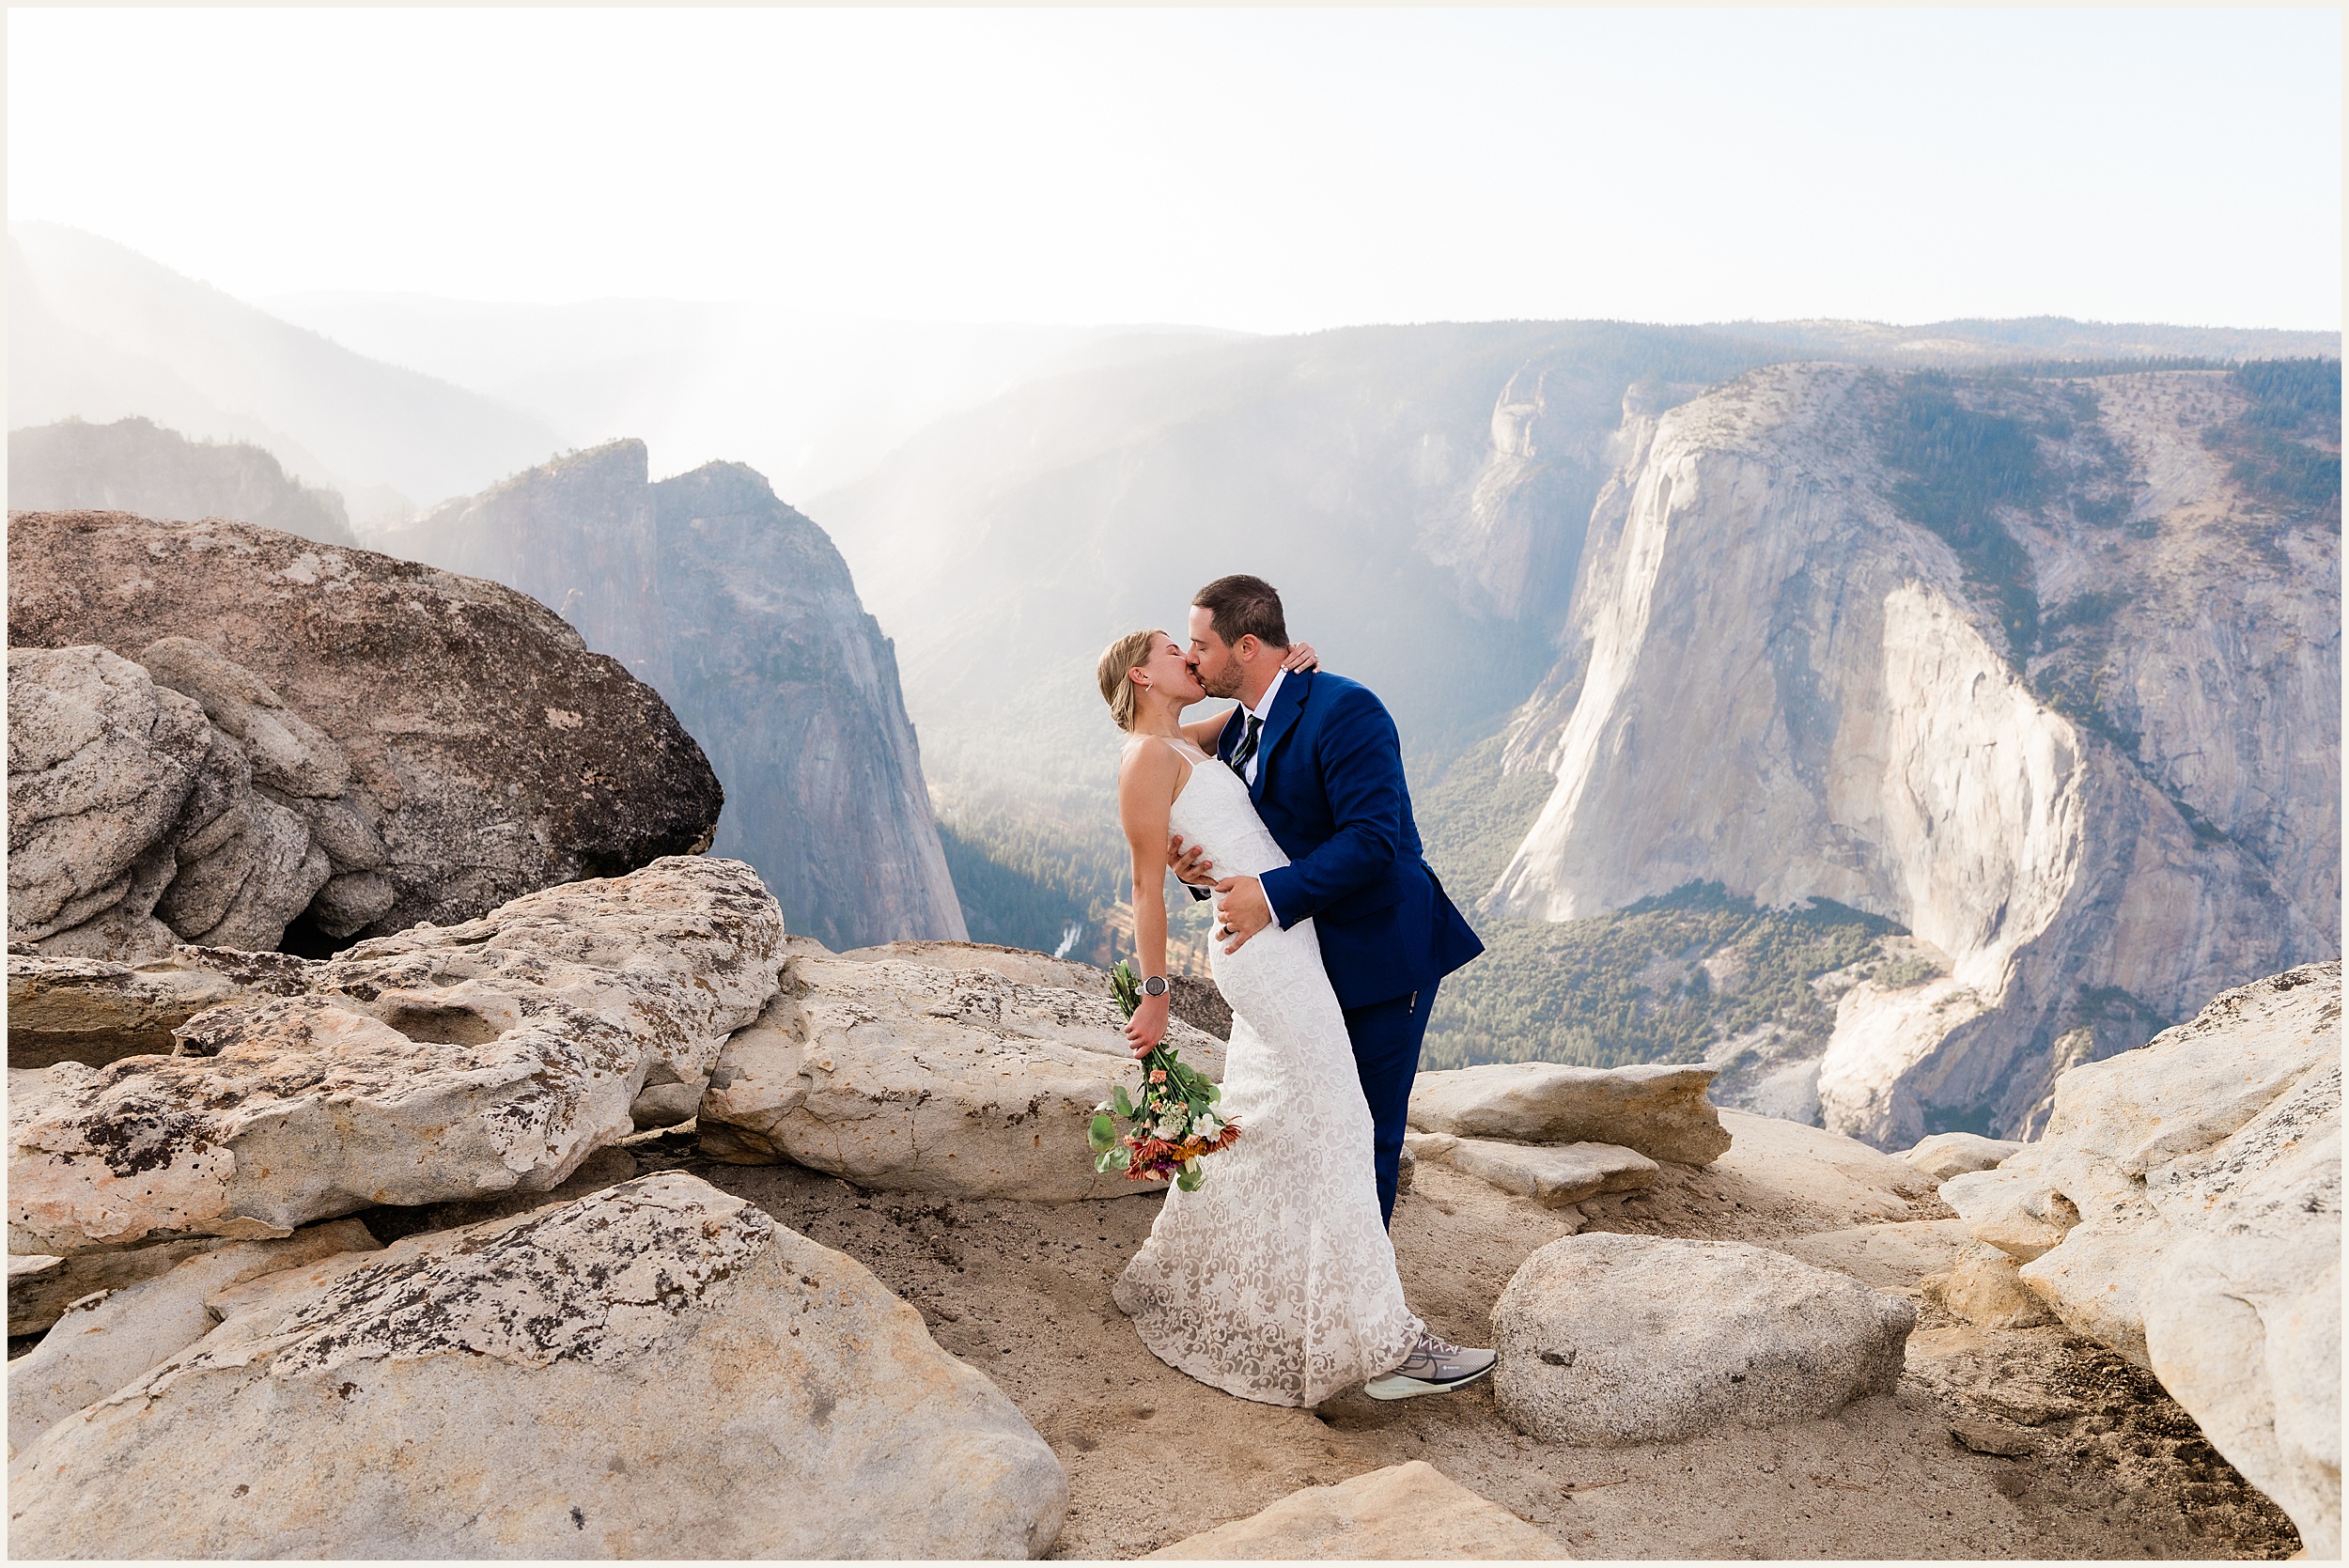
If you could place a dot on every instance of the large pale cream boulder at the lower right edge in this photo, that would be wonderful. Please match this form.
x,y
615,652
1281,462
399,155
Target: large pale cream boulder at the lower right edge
x,y
2186,1210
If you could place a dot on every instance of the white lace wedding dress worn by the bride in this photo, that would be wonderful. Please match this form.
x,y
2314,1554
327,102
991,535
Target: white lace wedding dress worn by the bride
x,y
1274,1280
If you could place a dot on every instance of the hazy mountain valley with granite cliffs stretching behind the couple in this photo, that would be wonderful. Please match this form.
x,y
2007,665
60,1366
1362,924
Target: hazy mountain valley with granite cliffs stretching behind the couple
x,y
1890,731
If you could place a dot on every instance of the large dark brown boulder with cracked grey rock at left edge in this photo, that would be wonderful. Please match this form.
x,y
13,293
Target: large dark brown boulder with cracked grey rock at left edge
x,y
224,731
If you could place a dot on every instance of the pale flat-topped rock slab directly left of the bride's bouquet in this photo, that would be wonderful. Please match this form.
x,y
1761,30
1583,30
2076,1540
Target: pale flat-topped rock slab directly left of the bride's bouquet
x,y
924,1079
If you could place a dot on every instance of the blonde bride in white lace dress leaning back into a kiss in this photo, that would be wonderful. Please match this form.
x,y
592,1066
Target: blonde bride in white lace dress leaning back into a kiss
x,y
1274,1280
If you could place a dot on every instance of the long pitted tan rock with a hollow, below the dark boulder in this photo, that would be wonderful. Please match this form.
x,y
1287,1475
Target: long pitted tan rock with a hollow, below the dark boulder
x,y
431,1067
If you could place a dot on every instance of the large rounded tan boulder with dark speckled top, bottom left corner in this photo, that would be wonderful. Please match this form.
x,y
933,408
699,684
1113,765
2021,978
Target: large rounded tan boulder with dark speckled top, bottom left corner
x,y
649,1372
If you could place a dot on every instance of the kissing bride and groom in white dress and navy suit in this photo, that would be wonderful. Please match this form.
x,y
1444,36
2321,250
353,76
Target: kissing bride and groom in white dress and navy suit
x,y
1277,1280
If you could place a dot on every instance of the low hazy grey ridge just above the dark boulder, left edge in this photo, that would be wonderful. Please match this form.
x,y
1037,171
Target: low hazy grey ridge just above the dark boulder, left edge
x,y
135,466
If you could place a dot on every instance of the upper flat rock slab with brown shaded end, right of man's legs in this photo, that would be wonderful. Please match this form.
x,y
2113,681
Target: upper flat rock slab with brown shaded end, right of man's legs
x,y
1660,1111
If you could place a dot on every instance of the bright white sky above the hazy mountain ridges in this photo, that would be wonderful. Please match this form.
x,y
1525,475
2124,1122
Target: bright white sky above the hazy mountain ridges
x,y
1260,170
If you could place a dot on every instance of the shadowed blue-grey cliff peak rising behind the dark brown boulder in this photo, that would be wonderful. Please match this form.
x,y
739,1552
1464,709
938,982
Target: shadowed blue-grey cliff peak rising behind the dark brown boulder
x,y
743,616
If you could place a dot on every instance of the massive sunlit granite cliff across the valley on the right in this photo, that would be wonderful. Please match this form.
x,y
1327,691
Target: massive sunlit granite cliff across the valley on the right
x,y
2024,665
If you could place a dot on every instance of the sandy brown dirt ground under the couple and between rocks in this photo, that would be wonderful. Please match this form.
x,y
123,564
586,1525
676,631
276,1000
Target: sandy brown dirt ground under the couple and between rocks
x,y
1023,1292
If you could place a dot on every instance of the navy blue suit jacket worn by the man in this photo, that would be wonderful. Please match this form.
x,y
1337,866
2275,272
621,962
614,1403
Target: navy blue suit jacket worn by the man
x,y
1331,790
